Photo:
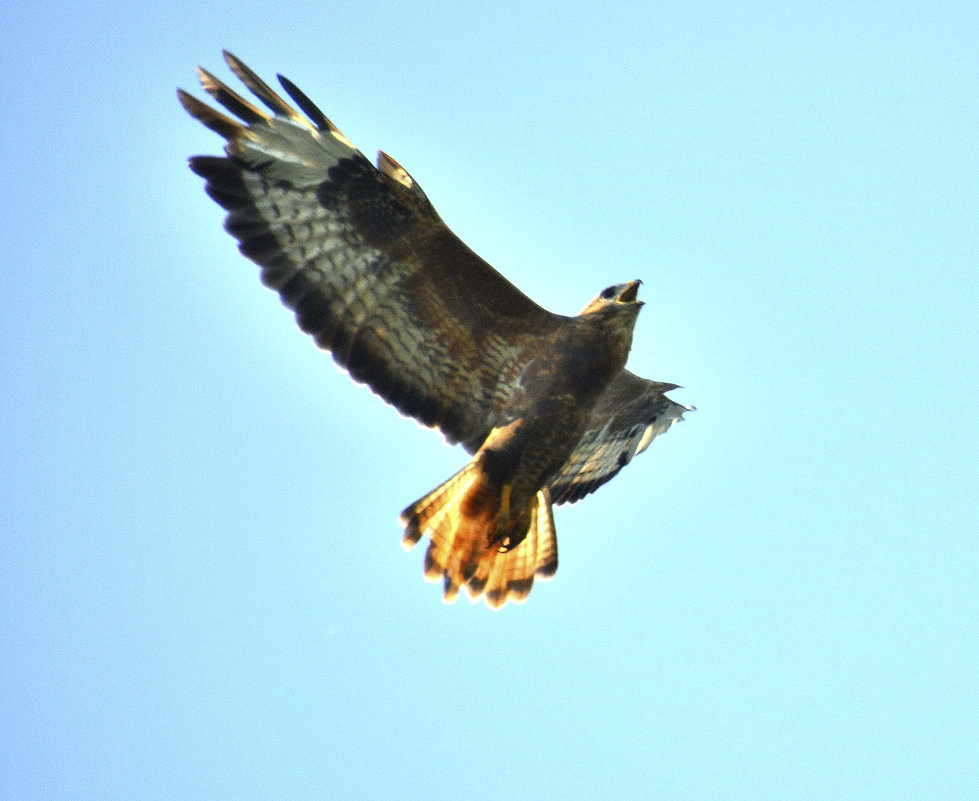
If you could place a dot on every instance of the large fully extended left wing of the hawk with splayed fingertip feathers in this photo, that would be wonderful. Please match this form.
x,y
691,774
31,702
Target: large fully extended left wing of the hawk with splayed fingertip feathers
x,y
370,269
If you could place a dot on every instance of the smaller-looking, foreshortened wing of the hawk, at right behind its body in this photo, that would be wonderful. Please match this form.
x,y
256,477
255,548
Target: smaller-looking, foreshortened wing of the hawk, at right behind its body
x,y
628,416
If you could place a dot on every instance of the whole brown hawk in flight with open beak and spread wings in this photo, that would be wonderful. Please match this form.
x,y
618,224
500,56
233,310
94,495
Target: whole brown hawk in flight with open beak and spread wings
x,y
542,401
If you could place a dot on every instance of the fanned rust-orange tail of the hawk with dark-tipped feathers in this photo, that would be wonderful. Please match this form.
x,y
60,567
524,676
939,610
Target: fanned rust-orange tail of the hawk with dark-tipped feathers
x,y
471,530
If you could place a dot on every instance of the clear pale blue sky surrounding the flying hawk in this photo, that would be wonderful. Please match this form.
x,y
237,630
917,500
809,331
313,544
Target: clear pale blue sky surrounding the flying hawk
x,y
202,591
